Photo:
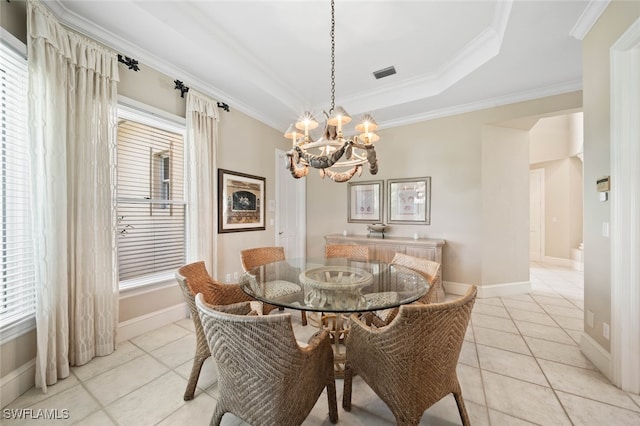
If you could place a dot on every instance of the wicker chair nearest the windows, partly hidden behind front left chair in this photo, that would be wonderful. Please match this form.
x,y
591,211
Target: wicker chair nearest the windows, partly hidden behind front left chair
x,y
193,278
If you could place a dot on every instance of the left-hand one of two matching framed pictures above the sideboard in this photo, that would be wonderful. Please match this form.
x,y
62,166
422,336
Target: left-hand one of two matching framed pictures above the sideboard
x,y
365,202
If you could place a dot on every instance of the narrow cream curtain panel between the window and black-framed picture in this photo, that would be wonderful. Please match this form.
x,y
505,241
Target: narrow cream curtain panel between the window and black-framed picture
x,y
200,156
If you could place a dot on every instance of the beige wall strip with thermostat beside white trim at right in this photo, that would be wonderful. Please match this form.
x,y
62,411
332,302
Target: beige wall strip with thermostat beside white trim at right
x,y
615,20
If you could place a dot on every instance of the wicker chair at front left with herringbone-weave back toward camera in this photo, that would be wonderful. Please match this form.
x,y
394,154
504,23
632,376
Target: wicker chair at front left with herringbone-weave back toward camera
x,y
264,376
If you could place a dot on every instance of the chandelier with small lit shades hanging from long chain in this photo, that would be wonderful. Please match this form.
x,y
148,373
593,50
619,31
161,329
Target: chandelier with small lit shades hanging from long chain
x,y
335,156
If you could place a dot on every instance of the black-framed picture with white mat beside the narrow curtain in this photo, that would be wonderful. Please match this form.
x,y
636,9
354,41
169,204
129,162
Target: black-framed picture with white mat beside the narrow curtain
x,y
241,199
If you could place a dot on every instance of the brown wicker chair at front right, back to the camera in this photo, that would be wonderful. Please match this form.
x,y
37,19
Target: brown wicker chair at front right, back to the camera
x,y
411,380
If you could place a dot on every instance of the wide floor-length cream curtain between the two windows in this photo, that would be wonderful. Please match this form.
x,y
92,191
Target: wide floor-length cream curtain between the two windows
x,y
72,108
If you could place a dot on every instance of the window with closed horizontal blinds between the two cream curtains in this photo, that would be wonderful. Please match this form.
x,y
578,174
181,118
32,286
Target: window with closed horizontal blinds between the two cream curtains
x,y
151,206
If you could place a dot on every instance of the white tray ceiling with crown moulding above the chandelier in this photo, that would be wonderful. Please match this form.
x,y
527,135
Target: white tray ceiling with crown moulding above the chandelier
x,y
271,59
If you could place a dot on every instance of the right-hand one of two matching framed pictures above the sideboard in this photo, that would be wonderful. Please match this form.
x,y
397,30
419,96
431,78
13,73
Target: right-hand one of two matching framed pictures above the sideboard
x,y
410,200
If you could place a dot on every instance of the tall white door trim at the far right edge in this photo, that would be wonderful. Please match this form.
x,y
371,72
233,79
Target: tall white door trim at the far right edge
x,y
625,210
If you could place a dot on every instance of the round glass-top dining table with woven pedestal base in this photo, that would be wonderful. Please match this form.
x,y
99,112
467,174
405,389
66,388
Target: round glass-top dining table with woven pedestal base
x,y
334,288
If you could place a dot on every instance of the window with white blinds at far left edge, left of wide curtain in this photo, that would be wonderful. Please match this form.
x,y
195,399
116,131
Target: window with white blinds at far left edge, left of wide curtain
x,y
17,279
